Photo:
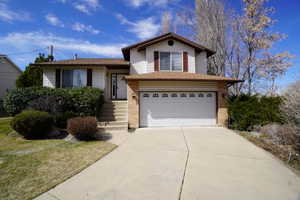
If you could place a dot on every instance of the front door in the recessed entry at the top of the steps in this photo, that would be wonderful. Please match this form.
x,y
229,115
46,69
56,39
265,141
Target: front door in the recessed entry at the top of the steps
x,y
119,87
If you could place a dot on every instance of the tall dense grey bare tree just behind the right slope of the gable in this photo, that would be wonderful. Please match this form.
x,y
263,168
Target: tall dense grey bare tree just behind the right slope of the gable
x,y
210,30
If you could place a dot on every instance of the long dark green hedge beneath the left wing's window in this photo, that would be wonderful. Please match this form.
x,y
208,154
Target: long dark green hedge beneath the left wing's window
x,y
81,101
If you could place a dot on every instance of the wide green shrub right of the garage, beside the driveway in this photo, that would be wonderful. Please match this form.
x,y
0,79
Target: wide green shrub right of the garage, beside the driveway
x,y
248,111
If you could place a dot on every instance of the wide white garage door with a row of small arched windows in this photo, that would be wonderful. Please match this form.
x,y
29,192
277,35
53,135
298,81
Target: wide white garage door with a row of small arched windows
x,y
177,108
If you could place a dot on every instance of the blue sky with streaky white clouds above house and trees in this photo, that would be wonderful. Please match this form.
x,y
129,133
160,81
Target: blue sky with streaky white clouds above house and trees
x,y
99,28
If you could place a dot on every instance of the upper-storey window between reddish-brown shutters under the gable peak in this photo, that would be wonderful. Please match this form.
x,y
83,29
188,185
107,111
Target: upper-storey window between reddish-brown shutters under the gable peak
x,y
170,61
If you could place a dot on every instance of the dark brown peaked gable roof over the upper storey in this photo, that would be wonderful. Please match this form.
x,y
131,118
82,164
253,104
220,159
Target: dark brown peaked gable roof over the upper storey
x,y
142,45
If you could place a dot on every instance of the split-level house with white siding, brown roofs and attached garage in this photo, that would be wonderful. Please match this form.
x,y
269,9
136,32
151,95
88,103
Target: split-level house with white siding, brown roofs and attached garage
x,y
164,80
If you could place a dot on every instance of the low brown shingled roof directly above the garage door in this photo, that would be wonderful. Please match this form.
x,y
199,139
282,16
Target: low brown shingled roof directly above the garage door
x,y
179,76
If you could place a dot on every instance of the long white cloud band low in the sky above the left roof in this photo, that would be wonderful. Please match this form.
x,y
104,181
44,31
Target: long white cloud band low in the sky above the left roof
x,y
32,40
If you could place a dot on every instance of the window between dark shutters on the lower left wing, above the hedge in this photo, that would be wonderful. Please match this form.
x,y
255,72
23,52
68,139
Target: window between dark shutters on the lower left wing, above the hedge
x,y
74,78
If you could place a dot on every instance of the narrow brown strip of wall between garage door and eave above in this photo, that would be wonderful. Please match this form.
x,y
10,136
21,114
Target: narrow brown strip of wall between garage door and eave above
x,y
177,85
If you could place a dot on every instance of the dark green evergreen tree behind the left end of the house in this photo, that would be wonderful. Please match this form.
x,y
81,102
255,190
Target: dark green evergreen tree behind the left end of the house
x,y
33,75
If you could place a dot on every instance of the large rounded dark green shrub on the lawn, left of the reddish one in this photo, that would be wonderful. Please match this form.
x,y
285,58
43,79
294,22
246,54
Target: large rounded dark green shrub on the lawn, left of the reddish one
x,y
32,124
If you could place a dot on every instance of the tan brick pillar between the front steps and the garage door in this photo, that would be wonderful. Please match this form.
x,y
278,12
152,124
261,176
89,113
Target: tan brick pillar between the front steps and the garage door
x,y
133,104
